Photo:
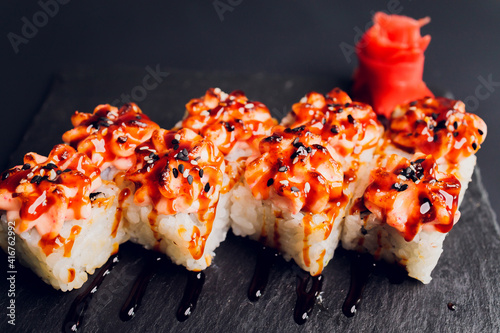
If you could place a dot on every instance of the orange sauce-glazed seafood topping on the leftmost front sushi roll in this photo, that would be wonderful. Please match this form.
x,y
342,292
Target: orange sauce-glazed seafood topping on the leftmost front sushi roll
x,y
46,191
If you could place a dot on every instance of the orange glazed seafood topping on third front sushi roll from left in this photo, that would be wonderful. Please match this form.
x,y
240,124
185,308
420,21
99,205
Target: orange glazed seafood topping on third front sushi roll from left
x,y
296,170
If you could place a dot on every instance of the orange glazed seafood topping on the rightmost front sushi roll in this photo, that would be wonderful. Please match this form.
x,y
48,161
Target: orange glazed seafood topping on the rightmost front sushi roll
x,y
411,195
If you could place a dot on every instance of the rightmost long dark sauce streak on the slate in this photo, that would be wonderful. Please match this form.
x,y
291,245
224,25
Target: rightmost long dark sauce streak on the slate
x,y
361,268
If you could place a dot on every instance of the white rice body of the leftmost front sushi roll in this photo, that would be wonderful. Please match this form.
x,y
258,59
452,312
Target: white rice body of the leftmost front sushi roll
x,y
92,247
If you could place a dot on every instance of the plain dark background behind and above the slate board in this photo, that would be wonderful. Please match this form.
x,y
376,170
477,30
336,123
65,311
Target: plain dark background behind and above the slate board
x,y
284,37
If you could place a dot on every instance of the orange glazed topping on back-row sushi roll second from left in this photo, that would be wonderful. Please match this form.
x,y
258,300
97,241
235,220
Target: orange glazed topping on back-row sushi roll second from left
x,y
228,119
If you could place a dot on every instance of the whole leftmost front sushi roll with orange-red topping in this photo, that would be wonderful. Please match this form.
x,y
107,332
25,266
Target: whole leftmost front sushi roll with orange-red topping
x,y
63,216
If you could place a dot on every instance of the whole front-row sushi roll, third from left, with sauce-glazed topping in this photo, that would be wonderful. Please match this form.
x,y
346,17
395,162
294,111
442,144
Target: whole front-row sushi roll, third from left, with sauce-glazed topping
x,y
291,197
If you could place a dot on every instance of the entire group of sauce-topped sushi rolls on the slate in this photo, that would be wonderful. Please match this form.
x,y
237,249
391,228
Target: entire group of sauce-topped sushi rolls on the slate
x,y
328,173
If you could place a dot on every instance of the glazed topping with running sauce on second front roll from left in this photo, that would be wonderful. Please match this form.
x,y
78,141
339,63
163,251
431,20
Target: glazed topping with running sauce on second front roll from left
x,y
179,171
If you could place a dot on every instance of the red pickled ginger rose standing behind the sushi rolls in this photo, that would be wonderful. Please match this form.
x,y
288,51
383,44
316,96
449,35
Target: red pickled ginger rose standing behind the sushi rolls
x,y
391,63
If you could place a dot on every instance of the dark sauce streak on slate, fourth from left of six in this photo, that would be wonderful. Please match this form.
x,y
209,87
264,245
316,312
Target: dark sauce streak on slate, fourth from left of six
x,y
265,261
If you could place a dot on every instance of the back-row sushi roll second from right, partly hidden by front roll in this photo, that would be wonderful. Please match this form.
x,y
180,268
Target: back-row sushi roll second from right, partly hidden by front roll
x,y
350,128
